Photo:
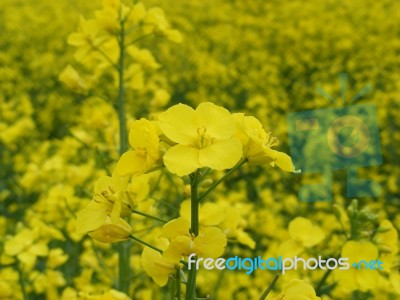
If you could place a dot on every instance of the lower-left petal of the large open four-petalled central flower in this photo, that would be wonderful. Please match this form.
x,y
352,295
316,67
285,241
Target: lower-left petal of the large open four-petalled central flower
x,y
182,160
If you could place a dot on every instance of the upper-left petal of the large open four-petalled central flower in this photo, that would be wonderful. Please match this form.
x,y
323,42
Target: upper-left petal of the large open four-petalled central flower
x,y
179,124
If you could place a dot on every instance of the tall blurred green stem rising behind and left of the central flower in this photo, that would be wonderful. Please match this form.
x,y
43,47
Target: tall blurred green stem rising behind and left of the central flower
x,y
123,248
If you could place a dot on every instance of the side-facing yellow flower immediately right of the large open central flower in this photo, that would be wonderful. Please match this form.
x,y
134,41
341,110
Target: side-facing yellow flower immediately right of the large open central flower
x,y
257,144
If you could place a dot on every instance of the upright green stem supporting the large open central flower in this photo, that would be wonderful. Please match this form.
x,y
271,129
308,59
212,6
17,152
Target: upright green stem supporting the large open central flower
x,y
191,282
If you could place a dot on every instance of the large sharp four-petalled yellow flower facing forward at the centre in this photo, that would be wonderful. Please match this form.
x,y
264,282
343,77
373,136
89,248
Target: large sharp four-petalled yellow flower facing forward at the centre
x,y
204,138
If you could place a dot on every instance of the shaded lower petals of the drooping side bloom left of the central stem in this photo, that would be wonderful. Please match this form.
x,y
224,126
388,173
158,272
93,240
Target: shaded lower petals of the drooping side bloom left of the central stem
x,y
111,232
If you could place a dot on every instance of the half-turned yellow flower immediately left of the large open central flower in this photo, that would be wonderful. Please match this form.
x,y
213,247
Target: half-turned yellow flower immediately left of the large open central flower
x,y
144,140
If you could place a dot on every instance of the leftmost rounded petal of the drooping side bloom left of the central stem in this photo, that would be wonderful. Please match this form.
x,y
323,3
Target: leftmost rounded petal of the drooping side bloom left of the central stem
x,y
91,217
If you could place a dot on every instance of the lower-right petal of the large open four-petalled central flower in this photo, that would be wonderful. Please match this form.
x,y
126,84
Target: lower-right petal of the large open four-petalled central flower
x,y
221,155
